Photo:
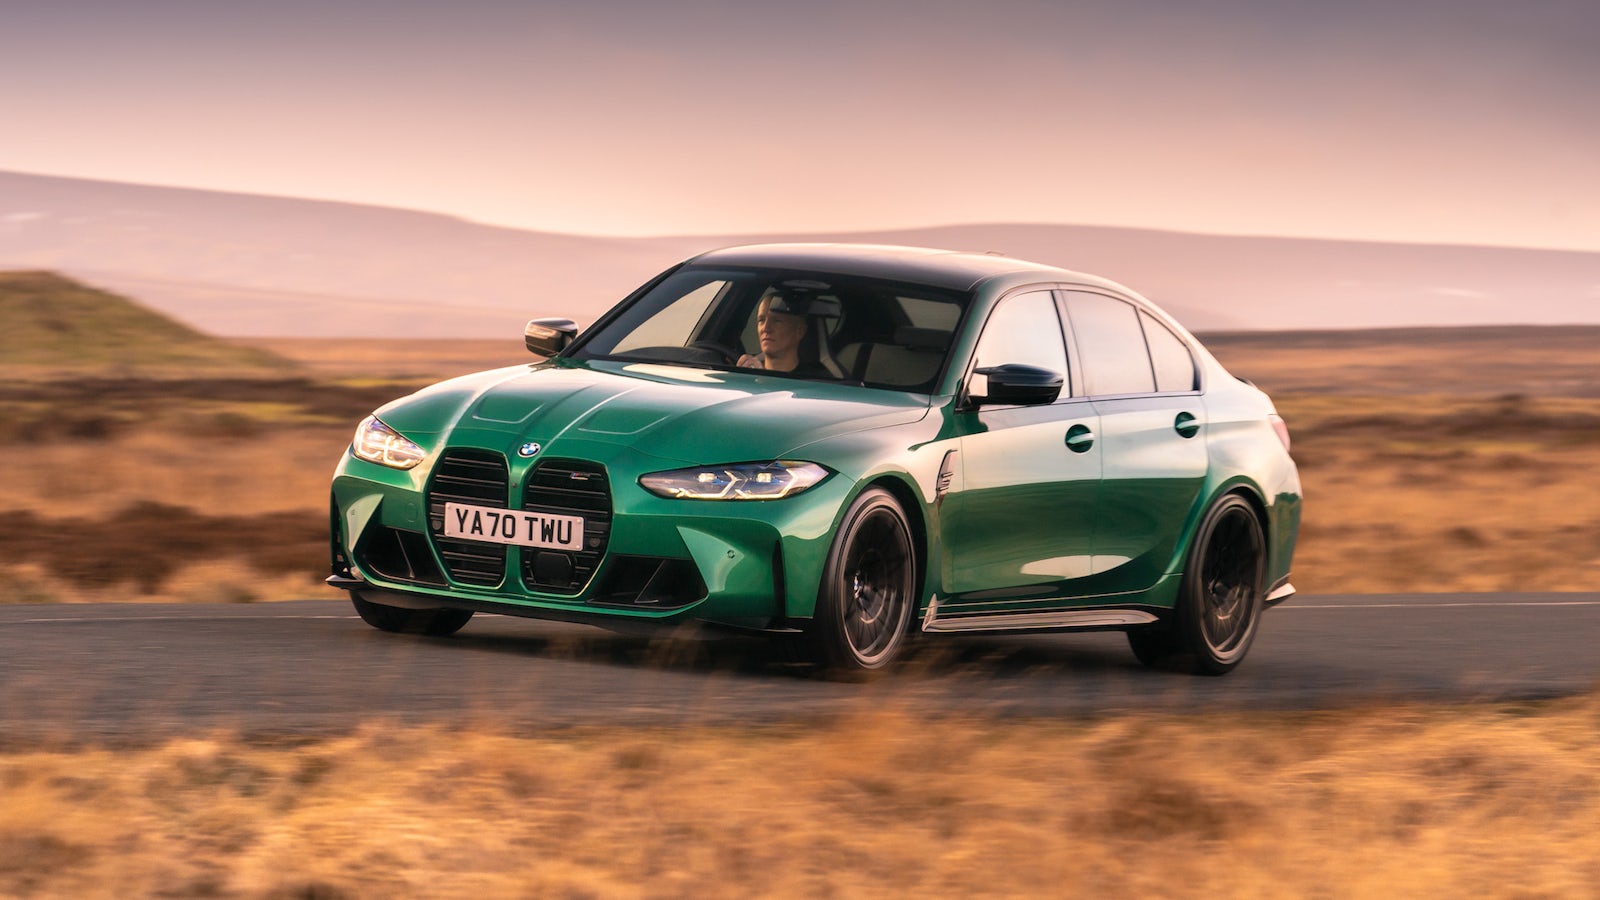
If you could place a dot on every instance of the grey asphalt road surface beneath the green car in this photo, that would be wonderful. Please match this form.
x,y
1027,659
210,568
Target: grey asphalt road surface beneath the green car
x,y
142,672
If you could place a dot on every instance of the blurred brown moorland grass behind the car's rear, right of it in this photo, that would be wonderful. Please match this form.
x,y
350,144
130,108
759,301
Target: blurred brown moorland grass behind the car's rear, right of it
x,y
1439,459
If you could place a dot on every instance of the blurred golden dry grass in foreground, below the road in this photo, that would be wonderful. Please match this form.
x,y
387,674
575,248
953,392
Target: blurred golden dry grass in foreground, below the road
x,y
1393,803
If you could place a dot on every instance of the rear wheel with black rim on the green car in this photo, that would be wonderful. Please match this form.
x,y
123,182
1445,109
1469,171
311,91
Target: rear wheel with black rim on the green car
x,y
1220,600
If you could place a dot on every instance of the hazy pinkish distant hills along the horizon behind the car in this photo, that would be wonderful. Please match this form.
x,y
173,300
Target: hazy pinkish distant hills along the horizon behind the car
x,y
244,265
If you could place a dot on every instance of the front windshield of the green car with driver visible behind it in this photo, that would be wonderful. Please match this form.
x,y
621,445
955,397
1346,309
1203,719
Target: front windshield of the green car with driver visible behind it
x,y
814,326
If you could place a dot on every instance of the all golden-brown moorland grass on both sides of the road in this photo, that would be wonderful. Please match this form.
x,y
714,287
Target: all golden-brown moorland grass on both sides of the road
x,y
1441,478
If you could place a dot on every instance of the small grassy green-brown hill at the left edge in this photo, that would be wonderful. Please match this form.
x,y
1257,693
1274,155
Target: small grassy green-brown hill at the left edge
x,y
54,327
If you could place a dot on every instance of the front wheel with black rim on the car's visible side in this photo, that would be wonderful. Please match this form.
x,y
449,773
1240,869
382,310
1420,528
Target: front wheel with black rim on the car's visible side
x,y
870,589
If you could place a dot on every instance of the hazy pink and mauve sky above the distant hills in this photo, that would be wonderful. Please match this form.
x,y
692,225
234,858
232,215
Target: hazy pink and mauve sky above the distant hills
x,y
1415,121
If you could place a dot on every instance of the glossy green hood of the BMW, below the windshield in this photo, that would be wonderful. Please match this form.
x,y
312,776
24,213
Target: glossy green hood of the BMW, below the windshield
x,y
665,411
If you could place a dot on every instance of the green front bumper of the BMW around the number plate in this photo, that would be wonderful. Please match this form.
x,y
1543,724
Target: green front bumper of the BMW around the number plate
x,y
746,565
